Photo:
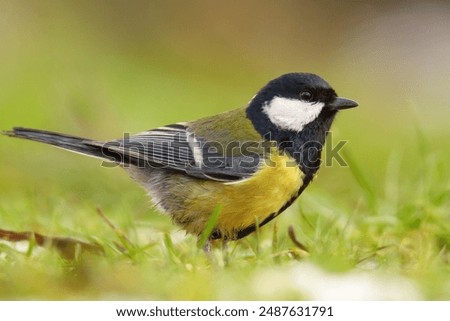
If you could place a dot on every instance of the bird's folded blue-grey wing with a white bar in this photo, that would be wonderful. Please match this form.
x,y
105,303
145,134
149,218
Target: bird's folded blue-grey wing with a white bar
x,y
173,147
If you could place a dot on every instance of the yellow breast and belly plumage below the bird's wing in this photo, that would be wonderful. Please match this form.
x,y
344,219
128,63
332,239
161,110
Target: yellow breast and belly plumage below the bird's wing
x,y
248,201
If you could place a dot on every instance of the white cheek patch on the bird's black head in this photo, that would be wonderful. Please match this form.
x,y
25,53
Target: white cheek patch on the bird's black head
x,y
291,114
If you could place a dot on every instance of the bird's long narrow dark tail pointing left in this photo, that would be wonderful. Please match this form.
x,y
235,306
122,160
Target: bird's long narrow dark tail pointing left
x,y
75,144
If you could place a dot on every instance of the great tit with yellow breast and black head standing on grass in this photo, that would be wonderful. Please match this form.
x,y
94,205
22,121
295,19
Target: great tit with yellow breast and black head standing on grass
x,y
253,161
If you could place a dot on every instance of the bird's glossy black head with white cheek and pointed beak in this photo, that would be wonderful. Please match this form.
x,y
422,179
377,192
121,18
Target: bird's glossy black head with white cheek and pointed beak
x,y
290,102
